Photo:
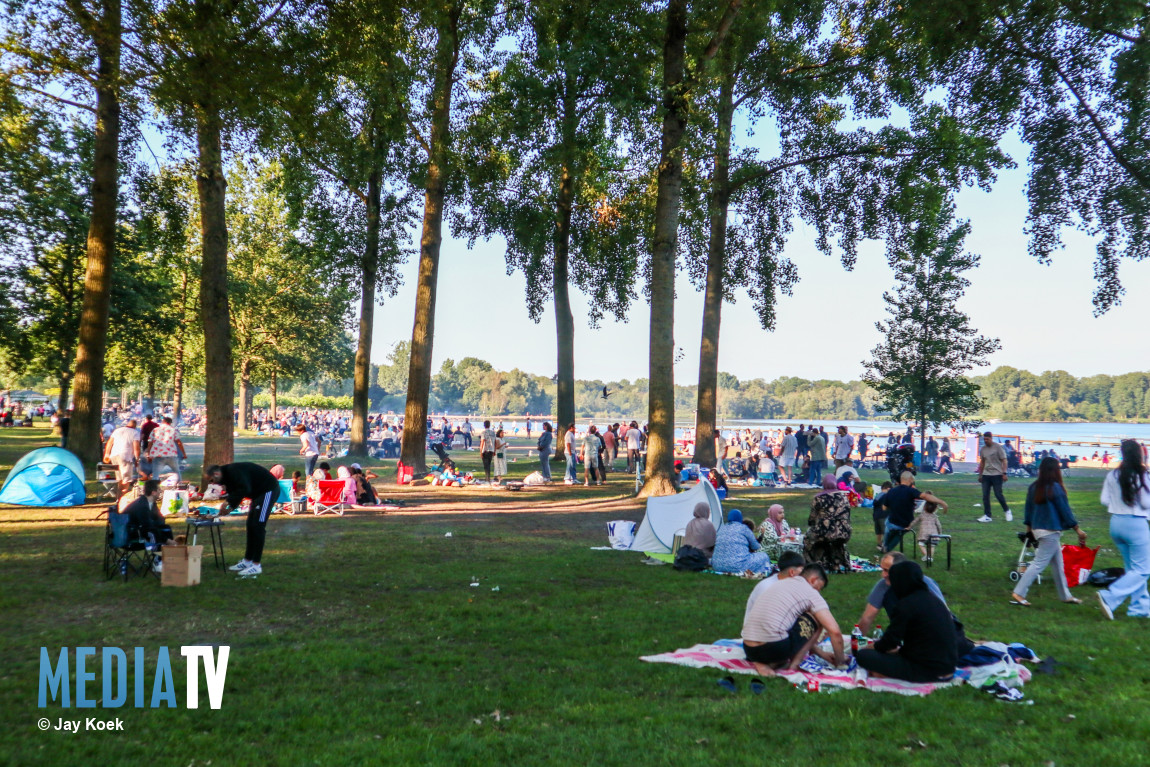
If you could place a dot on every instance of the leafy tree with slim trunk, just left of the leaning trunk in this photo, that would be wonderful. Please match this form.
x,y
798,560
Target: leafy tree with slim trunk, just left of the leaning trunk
x,y
344,117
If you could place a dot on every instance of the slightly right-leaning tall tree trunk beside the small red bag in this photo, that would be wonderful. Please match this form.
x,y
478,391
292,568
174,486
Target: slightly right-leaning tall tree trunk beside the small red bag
x,y
419,372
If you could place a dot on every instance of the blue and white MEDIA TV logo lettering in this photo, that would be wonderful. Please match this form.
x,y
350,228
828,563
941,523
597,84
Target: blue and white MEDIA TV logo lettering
x,y
55,679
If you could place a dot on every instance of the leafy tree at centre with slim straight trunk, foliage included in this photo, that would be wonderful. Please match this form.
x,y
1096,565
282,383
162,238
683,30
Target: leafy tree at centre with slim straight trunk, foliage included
x,y
548,166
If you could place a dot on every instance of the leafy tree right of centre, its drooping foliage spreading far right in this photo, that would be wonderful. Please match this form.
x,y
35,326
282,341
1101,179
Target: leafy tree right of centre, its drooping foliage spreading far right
x,y
787,74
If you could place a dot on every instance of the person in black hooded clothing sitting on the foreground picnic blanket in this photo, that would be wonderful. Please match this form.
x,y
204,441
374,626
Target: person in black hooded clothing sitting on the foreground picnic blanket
x,y
921,646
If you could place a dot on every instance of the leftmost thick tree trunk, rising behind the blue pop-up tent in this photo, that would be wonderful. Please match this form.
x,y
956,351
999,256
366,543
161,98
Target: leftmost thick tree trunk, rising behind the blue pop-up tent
x,y
85,435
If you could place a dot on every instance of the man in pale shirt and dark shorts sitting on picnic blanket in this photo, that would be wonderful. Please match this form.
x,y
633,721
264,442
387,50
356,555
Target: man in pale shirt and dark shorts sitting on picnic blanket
x,y
785,624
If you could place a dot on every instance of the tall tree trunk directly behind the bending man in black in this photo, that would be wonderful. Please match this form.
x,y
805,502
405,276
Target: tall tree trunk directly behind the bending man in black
x,y
214,310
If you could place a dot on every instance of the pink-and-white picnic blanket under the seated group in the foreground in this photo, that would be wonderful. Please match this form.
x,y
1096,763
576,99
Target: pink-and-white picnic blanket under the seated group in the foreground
x,y
727,655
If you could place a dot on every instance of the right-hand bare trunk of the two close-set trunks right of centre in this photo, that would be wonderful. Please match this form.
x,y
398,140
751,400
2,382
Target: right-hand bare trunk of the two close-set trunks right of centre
x,y
707,405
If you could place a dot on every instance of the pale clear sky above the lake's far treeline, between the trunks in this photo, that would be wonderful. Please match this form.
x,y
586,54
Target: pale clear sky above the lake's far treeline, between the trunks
x,y
825,331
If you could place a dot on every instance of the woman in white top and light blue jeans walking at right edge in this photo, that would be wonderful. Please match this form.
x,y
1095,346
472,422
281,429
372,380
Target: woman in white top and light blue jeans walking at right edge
x,y
1126,495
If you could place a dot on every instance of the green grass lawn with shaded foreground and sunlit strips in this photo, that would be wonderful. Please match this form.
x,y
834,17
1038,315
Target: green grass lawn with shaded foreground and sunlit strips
x,y
364,642
